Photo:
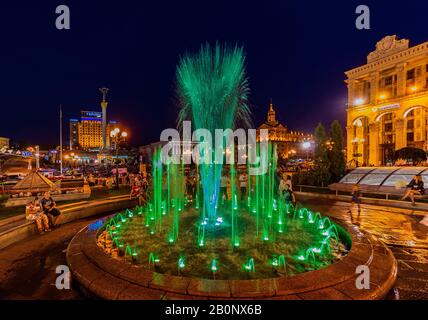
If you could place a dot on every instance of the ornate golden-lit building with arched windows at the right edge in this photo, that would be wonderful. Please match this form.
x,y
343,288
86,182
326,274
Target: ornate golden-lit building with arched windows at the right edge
x,y
387,102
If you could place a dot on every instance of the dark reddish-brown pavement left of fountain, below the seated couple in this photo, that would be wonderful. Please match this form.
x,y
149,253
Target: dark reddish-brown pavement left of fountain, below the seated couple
x,y
27,268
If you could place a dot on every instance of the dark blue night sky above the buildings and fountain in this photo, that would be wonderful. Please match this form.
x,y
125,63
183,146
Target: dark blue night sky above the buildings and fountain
x,y
297,52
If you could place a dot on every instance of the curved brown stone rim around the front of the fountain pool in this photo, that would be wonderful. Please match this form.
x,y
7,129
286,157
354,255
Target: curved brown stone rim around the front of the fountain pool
x,y
101,276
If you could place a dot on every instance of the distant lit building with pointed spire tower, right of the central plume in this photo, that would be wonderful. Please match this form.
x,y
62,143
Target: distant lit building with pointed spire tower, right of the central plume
x,y
289,143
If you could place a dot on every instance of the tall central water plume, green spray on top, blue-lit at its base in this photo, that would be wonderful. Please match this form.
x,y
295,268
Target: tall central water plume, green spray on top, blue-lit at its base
x,y
213,92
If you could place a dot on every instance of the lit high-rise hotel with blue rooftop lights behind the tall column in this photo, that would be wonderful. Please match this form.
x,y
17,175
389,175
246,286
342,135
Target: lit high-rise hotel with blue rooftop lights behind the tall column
x,y
87,133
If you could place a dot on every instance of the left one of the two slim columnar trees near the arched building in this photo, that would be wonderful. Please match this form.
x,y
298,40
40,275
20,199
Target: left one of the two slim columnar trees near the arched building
x,y
321,170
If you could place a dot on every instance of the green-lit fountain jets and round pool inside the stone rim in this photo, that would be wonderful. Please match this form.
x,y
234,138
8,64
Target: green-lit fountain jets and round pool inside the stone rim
x,y
207,236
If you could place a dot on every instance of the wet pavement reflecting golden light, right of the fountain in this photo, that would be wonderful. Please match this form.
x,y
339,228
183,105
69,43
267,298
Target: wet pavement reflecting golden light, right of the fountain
x,y
401,230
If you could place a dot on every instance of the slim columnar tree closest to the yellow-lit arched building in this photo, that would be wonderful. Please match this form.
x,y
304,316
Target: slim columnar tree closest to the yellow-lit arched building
x,y
337,163
